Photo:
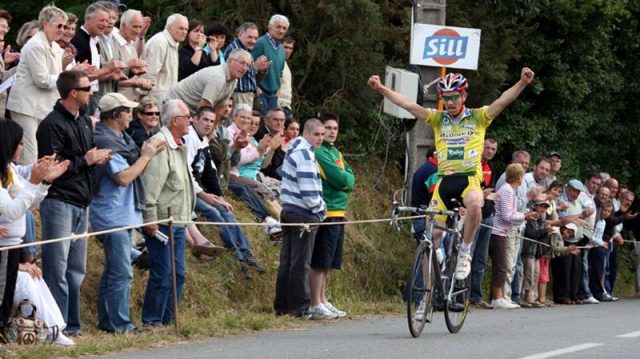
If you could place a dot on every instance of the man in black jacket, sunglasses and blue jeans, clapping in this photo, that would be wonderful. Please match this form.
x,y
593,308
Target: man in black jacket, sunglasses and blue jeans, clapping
x,y
66,132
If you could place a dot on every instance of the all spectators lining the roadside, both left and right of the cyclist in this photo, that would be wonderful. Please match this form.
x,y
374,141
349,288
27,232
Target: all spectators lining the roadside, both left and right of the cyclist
x,y
111,127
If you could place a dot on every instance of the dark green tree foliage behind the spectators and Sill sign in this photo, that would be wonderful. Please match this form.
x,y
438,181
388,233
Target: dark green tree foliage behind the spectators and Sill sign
x,y
582,103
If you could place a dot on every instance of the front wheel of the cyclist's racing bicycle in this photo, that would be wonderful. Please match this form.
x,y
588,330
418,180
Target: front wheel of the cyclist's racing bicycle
x,y
419,293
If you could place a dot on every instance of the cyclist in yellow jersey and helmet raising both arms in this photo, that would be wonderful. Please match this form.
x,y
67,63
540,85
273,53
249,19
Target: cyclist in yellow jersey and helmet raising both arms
x,y
459,137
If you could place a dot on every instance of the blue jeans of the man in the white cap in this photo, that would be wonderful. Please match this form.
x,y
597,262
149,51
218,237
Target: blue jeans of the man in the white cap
x,y
115,283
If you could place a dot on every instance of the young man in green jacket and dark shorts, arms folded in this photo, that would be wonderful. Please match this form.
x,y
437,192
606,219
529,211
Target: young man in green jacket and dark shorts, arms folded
x,y
337,183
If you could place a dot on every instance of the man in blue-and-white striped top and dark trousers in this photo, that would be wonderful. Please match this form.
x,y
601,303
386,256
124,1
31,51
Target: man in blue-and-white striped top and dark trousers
x,y
302,202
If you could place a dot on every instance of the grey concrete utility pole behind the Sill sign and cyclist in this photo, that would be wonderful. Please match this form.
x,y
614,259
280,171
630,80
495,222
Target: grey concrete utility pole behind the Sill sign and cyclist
x,y
421,135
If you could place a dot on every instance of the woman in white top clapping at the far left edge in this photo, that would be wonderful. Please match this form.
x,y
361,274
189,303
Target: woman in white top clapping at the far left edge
x,y
21,187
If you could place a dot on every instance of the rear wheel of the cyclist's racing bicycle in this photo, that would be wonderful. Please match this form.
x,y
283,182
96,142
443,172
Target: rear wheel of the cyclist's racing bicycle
x,y
457,292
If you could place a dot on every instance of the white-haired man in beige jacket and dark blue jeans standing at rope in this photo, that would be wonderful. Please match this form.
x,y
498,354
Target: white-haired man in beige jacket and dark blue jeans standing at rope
x,y
168,185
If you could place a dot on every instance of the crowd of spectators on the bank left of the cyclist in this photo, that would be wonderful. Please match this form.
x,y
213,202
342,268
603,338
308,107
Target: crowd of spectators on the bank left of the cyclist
x,y
109,128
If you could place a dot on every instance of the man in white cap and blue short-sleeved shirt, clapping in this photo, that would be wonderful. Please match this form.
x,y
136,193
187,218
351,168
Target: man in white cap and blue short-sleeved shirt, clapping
x,y
118,203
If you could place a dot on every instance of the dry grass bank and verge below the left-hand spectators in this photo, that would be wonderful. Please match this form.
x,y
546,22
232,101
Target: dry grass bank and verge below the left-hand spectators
x,y
218,301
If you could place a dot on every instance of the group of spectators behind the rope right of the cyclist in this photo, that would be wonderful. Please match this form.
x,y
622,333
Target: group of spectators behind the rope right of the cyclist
x,y
536,227
